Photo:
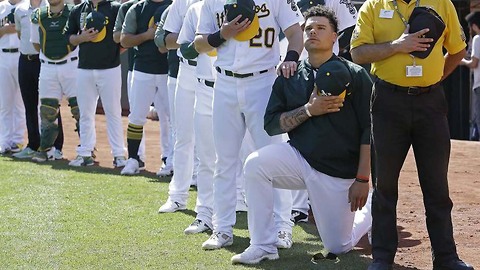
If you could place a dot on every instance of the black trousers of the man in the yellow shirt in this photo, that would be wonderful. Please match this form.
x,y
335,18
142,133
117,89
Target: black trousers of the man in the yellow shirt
x,y
399,121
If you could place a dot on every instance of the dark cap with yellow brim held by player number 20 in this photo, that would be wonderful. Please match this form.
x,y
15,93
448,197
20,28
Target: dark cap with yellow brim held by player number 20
x,y
246,8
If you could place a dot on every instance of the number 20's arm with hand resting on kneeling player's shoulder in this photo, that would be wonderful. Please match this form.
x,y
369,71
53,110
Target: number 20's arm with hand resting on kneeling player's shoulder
x,y
294,36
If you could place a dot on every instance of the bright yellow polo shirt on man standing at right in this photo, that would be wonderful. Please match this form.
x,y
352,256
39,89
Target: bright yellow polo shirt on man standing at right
x,y
372,29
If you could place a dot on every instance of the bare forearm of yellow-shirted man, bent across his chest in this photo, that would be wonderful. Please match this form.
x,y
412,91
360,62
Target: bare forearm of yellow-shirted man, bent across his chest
x,y
369,53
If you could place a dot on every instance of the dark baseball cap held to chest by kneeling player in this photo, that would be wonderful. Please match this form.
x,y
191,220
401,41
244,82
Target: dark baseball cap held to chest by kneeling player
x,y
332,79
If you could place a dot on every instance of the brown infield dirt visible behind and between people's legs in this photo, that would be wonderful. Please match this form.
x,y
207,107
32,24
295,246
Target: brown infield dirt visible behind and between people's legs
x,y
414,247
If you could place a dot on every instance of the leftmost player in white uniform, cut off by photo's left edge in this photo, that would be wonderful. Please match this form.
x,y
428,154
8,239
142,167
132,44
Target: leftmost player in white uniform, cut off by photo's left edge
x,y
12,111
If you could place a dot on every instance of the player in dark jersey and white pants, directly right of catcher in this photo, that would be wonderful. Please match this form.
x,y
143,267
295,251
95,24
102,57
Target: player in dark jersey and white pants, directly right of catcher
x,y
99,75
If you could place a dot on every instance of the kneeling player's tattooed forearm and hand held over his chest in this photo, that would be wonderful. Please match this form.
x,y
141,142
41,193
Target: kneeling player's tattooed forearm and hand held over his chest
x,y
317,105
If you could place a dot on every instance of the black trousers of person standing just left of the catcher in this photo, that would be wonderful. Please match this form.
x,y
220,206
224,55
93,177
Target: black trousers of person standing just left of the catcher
x,y
28,73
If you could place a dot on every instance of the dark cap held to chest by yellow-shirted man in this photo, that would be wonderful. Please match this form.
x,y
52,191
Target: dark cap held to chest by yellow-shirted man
x,y
425,17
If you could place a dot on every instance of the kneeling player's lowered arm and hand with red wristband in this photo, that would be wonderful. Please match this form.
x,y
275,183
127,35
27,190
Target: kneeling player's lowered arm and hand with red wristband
x,y
358,192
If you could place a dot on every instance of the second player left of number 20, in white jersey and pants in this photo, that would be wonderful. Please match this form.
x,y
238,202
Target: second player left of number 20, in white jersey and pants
x,y
184,110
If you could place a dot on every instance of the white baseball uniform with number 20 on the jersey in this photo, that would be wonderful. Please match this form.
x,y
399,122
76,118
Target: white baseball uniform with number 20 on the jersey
x,y
239,103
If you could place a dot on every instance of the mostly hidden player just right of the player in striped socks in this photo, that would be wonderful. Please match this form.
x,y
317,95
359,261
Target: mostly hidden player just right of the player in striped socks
x,y
173,62
